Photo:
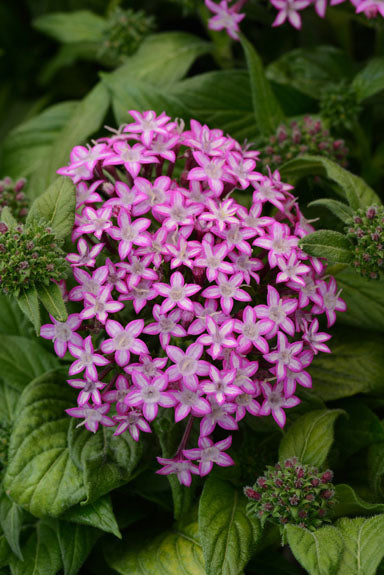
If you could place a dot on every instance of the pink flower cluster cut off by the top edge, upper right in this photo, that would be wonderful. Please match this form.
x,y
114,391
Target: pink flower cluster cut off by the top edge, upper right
x,y
227,16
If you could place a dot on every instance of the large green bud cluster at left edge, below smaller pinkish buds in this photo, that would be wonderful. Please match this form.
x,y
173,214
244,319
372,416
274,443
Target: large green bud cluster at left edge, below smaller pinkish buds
x,y
30,255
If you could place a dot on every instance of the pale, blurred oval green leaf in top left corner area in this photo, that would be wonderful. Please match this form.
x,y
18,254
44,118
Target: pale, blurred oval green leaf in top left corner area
x,y
69,27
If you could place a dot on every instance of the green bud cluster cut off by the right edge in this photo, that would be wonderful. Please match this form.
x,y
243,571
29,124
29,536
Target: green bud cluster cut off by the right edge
x,y
366,230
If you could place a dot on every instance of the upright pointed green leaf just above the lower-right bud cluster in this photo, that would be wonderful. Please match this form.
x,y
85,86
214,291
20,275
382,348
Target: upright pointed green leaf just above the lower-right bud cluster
x,y
310,437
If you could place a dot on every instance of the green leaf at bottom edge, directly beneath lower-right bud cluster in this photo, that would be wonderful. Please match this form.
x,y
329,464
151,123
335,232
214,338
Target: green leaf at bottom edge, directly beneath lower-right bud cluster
x,y
318,552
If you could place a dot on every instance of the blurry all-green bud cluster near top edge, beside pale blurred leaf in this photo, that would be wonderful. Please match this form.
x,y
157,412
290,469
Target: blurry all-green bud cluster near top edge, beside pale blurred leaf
x,y
125,31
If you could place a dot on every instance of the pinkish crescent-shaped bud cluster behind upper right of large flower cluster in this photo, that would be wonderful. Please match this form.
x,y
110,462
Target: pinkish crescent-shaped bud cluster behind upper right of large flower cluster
x,y
308,136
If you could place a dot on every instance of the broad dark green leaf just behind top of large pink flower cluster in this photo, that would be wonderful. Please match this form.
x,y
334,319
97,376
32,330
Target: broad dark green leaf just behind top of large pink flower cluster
x,y
220,99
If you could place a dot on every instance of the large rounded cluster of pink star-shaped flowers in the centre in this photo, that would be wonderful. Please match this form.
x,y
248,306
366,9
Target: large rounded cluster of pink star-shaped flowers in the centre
x,y
187,300
